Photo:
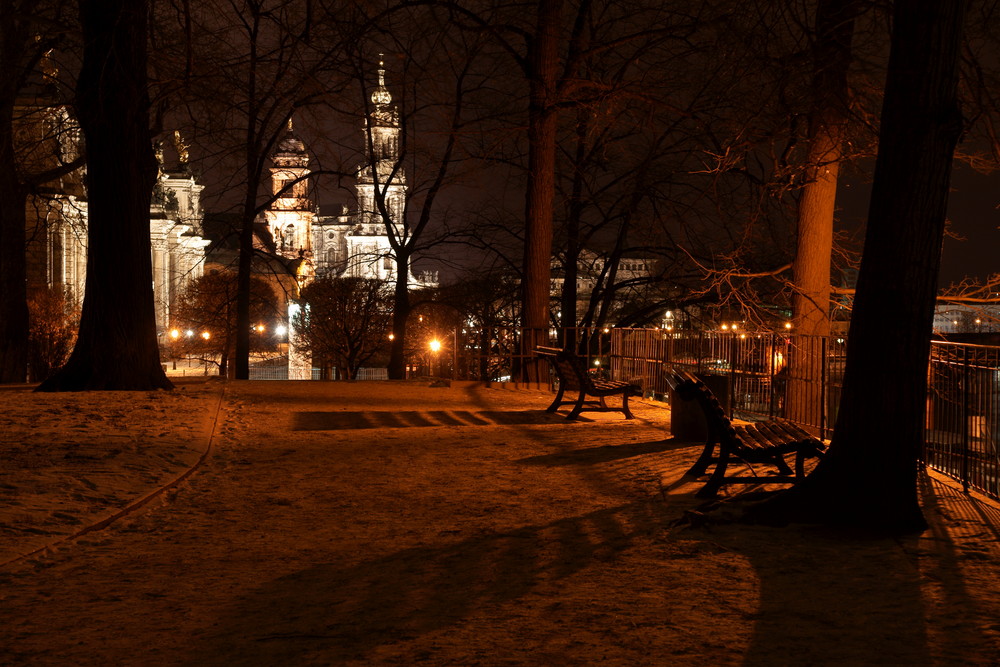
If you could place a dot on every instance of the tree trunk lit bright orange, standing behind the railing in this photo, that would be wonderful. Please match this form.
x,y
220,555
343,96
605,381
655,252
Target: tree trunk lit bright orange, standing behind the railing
x,y
811,301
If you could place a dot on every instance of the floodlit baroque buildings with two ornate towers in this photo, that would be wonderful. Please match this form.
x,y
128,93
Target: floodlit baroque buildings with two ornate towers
x,y
348,244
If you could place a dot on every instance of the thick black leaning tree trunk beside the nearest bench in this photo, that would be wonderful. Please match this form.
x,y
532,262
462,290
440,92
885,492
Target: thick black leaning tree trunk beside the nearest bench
x,y
869,477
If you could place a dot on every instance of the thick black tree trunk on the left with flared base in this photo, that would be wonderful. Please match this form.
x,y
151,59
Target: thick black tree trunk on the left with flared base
x,y
117,347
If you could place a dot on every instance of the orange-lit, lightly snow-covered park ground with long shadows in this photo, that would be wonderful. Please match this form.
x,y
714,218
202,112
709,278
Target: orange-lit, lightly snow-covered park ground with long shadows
x,y
396,523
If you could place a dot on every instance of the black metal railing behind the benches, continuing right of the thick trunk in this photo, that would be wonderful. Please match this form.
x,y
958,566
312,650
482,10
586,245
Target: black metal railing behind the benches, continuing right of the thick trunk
x,y
800,378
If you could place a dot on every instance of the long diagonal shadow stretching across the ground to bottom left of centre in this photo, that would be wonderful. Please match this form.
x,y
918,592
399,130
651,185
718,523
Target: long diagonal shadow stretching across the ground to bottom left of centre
x,y
336,613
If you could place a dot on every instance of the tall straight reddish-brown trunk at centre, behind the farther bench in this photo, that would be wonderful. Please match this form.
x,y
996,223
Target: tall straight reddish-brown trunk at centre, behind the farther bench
x,y
543,123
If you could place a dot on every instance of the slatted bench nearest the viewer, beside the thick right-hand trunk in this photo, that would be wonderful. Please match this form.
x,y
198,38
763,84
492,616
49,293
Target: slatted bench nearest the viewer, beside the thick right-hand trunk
x,y
759,442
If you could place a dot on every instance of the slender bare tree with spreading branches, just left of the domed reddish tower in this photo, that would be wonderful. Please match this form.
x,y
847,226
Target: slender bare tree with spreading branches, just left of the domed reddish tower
x,y
277,58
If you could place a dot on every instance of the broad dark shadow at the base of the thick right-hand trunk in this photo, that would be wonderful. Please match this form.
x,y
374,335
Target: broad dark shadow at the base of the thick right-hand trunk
x,y
829,598
